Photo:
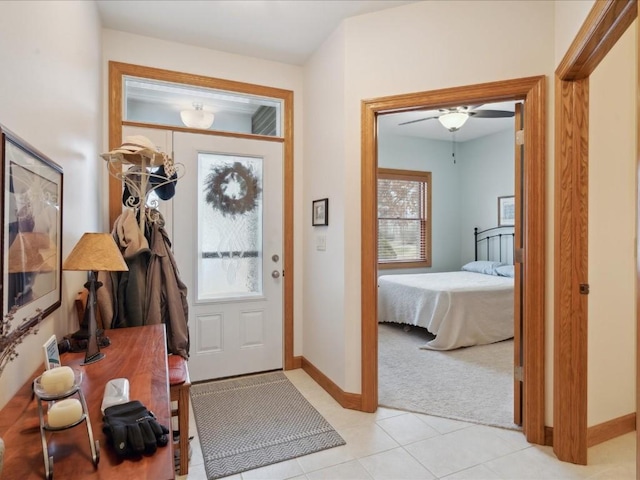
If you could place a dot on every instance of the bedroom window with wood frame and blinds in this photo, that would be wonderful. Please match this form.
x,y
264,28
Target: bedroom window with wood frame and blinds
x,y
404,218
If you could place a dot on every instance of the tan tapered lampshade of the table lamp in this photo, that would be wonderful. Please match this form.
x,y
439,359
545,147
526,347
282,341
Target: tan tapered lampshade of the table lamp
x,y
96,252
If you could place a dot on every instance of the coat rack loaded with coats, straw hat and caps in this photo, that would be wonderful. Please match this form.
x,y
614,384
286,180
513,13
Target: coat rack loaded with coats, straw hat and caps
x,y
149,170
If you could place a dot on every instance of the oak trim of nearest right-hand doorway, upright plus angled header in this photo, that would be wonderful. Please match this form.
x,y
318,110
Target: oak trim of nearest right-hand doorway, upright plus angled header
x,y
605,24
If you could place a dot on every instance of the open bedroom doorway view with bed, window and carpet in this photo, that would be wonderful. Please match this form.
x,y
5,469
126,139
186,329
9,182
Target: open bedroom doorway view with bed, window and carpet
x,y
472,172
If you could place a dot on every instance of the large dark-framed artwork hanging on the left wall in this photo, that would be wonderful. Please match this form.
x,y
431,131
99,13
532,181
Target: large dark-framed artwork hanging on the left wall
x,y
32,229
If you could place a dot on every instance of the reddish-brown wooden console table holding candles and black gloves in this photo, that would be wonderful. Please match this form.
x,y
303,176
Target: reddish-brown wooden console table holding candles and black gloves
x,y
138,354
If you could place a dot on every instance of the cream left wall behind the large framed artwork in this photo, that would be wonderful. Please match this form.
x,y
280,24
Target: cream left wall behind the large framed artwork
x,y
51,99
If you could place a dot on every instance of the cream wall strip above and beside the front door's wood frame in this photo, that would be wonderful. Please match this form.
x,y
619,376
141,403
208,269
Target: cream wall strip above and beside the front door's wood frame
x,y
150,52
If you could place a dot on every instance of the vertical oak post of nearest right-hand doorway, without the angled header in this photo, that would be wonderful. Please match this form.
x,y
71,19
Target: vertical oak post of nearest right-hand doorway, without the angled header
x,y
570,244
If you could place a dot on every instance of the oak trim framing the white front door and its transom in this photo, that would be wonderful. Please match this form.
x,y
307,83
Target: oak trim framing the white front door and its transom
x,y
117,70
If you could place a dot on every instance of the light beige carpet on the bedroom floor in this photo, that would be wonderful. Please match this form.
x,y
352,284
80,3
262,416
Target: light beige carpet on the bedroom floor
x,y
473,384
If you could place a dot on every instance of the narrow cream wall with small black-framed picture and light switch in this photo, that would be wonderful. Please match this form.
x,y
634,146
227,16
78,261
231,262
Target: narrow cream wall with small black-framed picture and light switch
x,y
324,282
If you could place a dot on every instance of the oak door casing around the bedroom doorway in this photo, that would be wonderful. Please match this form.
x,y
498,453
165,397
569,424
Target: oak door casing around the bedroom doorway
x,y
532,91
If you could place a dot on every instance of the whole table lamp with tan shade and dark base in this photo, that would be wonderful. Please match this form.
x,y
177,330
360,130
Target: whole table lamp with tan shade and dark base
x,y
94,252
